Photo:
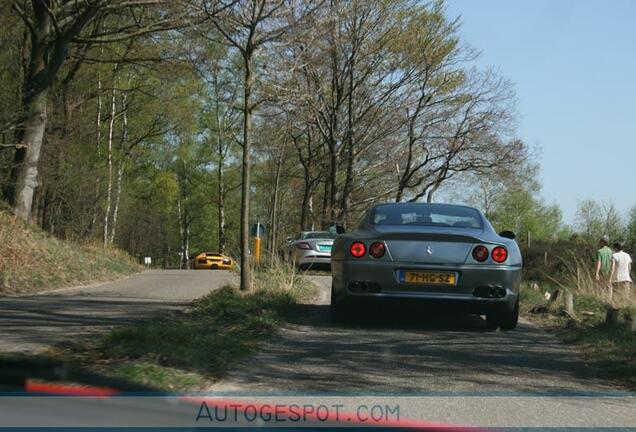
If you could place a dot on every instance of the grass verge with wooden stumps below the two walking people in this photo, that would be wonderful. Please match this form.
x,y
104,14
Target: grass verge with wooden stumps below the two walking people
x,y
610,347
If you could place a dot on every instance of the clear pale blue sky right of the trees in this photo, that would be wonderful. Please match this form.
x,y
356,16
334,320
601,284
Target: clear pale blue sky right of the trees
x,y
574,66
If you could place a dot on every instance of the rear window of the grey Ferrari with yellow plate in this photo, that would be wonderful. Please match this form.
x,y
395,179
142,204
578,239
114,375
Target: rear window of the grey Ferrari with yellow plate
x,y
426,215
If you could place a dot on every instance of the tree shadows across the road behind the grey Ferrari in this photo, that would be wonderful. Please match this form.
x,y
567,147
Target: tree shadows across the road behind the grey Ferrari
x,y
393,350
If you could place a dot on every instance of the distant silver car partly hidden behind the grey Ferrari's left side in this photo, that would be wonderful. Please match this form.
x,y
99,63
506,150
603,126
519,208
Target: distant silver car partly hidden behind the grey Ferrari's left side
x,y
309,248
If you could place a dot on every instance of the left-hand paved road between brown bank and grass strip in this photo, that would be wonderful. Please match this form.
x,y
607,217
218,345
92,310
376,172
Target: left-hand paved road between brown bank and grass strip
x,y
34,323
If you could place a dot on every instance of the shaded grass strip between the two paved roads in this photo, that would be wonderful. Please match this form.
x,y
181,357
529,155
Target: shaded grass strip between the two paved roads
x,y
190,350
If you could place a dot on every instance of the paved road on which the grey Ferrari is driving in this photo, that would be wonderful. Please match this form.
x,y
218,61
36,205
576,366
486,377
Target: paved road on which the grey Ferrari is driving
x,y
459,371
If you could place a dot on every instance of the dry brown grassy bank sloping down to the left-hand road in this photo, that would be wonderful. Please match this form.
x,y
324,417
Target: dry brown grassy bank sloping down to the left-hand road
x,y
31,260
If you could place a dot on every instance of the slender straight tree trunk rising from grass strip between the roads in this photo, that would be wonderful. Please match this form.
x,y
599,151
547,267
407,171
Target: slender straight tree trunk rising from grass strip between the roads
x,y
246,275
